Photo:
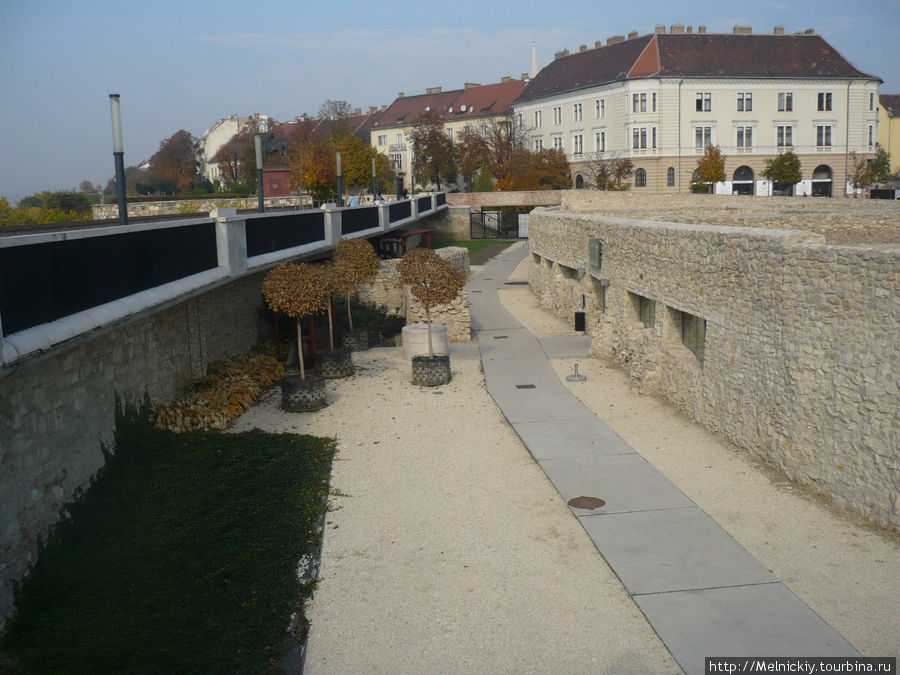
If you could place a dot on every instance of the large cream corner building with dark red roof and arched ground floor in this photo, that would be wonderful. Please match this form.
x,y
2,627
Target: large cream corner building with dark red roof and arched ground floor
x,y
660,99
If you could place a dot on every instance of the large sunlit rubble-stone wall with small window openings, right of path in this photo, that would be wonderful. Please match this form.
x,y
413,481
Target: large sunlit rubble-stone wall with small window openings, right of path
x,y
799,359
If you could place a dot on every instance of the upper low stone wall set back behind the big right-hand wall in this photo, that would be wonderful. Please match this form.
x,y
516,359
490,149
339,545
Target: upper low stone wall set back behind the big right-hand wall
x,y
841,221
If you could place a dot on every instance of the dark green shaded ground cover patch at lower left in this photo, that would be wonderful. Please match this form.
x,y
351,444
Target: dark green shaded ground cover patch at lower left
x,y
181,556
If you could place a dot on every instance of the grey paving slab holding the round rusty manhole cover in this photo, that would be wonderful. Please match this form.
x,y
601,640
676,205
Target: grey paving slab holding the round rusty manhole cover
x,y
625,482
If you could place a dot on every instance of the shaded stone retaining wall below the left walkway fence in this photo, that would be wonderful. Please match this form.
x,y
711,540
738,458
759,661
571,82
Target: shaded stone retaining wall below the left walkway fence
x,y
60,408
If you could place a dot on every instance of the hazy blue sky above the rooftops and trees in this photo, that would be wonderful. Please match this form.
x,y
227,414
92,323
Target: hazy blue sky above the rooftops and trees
x,y
185,65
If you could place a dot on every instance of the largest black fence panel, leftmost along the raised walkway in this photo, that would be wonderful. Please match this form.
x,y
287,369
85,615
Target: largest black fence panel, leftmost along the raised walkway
x,y
47,281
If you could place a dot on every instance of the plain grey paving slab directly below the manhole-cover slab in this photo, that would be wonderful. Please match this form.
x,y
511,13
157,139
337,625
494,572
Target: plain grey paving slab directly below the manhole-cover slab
x,y
672,550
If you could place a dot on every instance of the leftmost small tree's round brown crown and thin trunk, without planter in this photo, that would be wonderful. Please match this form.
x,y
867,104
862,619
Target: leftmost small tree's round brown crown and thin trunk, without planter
x,y
298,291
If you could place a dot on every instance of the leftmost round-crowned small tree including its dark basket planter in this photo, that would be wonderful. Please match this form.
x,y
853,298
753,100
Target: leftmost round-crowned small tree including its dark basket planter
x,y
298,291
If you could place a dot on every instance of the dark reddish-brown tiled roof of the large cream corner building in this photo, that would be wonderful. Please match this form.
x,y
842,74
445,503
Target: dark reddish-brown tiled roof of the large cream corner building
x,y
692,55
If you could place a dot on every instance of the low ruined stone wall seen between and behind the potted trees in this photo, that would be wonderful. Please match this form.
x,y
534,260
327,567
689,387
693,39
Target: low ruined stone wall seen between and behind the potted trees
x,y
385,290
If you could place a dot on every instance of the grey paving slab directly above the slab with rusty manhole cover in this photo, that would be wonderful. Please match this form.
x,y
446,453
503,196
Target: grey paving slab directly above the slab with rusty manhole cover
x,y
562,440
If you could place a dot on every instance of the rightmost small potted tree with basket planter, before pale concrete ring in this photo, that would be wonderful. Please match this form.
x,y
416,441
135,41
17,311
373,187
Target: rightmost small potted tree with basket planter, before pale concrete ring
x,y
432,281
